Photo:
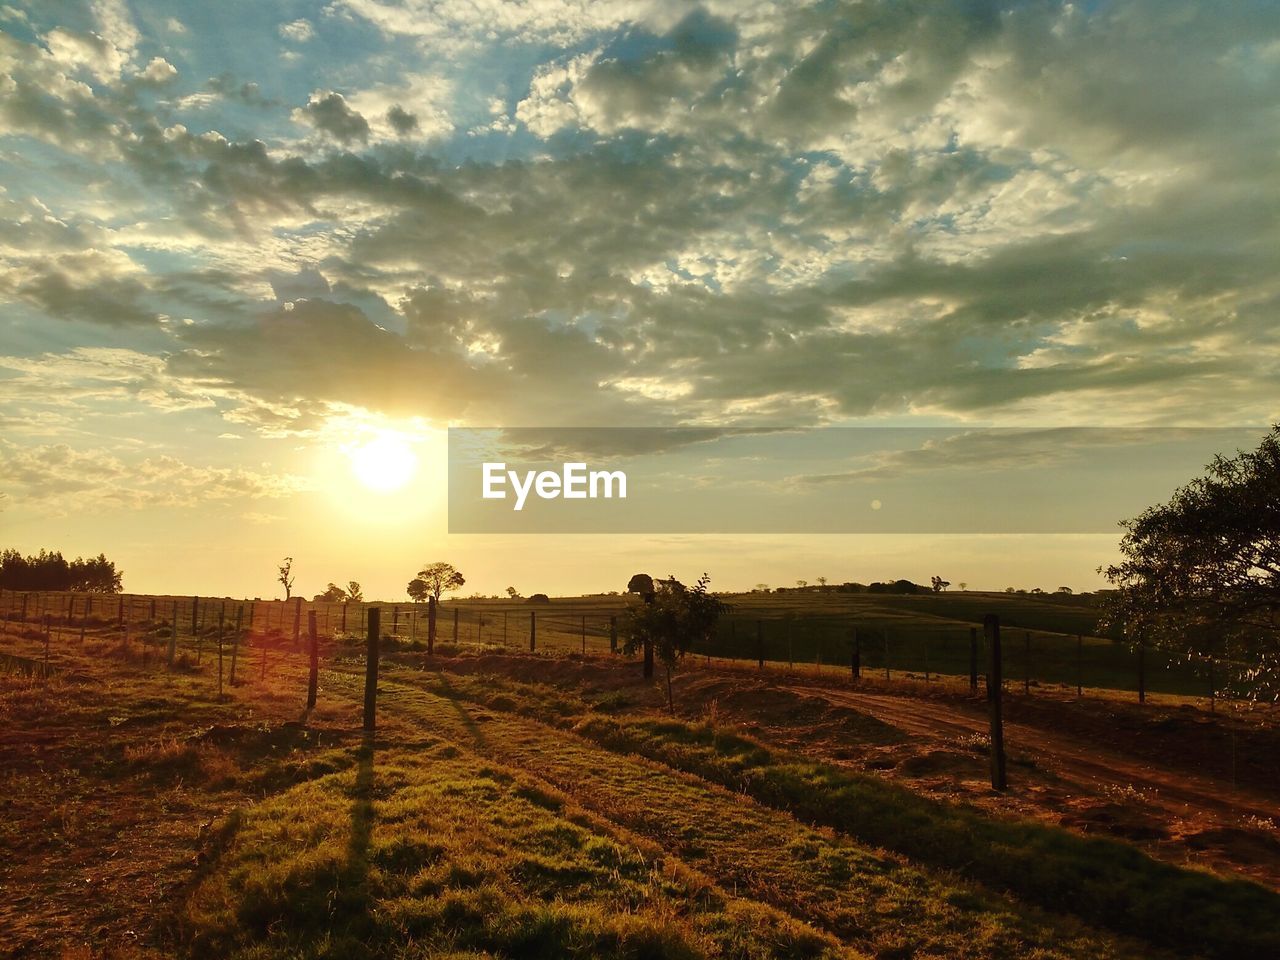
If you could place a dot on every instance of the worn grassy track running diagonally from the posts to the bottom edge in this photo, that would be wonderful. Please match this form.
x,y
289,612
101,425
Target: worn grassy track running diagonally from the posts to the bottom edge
x,y
870,899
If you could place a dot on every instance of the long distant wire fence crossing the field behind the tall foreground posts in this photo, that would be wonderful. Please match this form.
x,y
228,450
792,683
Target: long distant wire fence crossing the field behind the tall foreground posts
x,y
843,644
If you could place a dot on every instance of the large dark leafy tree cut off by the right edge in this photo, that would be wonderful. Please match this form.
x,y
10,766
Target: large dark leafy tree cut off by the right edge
x,y
1201,574
